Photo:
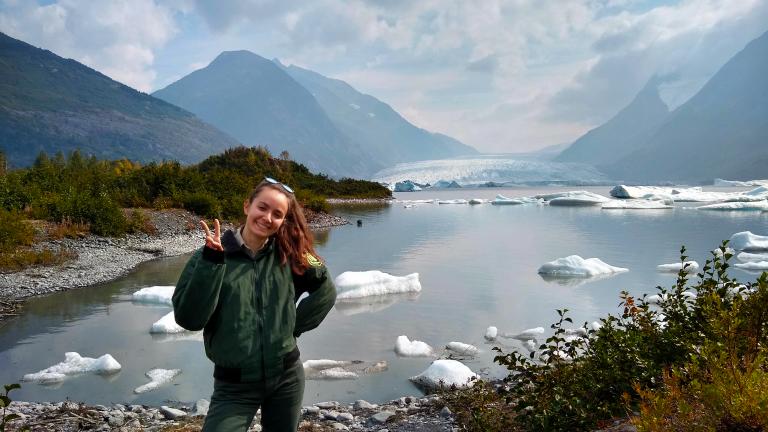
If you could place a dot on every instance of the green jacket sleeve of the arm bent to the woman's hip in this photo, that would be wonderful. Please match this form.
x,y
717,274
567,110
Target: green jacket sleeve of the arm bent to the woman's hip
x,y
317,282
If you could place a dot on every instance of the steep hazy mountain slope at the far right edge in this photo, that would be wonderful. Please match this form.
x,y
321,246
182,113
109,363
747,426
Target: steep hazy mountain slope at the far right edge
x,y
721,132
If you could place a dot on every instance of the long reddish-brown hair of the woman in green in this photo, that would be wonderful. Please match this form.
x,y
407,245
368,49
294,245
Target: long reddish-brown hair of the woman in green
x,y
294,239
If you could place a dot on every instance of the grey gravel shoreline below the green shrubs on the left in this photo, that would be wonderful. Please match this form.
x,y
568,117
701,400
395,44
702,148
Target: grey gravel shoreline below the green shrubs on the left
x,y
103,259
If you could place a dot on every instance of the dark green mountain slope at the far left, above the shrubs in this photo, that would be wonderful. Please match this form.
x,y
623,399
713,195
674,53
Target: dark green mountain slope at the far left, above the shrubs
x,y
51,104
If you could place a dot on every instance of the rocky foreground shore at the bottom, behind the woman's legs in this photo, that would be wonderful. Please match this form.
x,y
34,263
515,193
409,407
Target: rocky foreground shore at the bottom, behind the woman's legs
x,y
406,414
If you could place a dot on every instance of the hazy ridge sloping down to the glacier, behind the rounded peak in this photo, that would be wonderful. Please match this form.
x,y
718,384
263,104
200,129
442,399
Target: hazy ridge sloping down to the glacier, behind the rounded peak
x,y
384,133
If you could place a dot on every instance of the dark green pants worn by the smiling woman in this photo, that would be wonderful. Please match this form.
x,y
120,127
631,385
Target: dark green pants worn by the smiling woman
x,y
233,405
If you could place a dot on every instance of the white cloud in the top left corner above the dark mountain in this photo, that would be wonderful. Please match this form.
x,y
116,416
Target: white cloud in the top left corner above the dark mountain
x,y
116,37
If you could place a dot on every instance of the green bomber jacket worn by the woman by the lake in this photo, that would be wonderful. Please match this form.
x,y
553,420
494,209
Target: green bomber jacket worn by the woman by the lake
x,y
246,304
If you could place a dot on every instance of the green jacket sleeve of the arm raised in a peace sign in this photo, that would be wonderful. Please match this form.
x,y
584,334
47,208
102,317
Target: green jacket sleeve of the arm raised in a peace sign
x,y
197,291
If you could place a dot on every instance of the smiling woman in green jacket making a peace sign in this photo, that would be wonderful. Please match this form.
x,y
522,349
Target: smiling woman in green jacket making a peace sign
x,y
242,288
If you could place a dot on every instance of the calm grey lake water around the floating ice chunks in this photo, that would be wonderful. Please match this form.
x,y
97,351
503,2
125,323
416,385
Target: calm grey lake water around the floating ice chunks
x,y
477,266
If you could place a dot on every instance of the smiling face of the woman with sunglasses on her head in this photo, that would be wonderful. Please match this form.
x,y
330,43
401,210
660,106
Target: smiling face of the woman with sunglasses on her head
x,y
265,214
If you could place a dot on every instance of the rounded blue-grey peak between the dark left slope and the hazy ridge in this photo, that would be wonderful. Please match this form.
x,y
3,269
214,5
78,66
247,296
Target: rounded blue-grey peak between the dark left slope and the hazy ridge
x,y
255,101
